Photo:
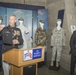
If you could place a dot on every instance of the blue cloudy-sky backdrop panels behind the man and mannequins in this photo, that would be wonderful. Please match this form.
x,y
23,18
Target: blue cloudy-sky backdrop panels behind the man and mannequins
x,y
31,19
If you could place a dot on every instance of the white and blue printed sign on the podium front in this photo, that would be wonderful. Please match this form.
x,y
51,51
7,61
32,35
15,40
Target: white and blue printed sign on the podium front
x,y
32,54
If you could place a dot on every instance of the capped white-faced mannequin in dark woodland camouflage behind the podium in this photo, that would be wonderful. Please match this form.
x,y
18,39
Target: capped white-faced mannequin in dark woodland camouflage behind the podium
x,y
40,37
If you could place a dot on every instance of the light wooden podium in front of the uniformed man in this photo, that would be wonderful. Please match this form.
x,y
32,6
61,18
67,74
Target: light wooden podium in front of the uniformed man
x,y
15,58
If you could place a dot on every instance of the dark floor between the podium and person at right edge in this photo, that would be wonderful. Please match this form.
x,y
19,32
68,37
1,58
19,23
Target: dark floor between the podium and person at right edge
x,y
46,71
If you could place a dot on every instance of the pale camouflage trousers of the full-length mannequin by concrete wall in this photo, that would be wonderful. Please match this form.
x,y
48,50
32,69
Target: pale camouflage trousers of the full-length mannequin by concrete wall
x,y
56,52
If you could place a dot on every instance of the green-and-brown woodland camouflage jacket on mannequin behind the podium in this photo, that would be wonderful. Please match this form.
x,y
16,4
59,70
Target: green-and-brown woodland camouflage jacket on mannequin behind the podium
x,y
40,37
